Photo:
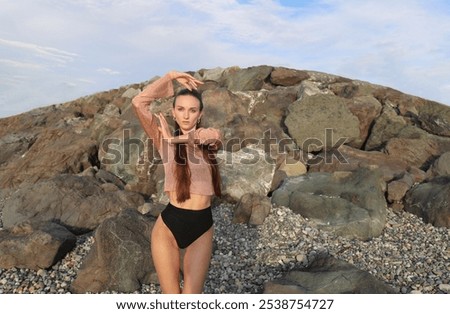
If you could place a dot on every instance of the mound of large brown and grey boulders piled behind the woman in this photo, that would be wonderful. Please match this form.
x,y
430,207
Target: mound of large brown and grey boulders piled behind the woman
x,y
333,149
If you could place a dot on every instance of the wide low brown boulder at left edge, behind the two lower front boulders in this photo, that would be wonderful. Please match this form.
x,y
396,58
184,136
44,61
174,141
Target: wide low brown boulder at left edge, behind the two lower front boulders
x,y
80,203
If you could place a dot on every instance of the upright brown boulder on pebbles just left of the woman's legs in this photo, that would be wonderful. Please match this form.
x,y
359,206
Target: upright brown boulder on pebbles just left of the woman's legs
x,y
120,259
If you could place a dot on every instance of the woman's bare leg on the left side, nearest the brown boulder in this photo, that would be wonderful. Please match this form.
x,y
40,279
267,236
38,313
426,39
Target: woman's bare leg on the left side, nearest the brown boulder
x,y
166,257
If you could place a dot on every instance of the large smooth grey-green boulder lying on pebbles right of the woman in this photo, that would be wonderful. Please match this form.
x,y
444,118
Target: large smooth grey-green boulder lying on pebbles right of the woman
x,y
350,204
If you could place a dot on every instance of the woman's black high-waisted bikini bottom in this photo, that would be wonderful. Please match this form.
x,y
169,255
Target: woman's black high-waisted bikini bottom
x,y
187,225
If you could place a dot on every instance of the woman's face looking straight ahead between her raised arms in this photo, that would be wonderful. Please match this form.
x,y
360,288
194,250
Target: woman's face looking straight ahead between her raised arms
x,y
187,112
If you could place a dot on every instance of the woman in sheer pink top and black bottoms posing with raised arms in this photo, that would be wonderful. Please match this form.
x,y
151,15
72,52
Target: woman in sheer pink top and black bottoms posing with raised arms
x,y
191,180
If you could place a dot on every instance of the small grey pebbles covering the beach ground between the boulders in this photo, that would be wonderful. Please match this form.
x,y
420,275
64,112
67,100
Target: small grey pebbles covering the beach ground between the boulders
x,y
411,256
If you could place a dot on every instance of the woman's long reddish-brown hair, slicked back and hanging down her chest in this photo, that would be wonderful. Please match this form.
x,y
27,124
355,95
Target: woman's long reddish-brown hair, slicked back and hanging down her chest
x,y
182,170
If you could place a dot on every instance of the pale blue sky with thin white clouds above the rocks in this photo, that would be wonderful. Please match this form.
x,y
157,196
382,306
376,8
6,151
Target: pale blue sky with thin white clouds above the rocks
x,y
53,51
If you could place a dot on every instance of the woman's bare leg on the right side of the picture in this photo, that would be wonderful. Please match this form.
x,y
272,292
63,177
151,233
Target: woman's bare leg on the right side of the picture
x,y
196,262
